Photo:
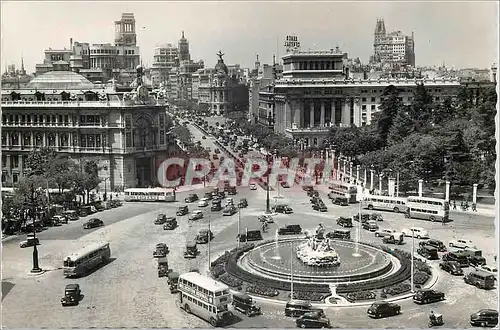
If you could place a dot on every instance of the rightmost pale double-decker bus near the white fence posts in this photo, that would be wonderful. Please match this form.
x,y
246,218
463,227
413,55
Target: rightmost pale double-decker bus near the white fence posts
x,y
427,208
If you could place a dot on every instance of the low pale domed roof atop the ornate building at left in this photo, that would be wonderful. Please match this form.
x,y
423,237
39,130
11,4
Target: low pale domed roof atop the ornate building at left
x,y
60,80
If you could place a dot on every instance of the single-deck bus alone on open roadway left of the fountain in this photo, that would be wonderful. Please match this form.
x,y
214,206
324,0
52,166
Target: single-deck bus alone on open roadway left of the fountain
x,y
88,258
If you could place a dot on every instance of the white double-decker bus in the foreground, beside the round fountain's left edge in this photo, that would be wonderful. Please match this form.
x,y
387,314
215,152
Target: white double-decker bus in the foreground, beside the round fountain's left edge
x,y
205,297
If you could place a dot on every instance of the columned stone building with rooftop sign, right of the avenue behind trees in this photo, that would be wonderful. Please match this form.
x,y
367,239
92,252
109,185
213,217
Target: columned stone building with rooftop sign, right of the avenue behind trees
x,y
315,94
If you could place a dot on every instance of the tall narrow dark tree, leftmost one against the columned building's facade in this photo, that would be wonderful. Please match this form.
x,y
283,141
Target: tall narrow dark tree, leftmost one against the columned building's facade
x,y
389,108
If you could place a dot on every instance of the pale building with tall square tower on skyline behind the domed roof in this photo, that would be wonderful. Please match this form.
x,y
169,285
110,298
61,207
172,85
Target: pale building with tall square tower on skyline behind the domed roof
x,y
99,62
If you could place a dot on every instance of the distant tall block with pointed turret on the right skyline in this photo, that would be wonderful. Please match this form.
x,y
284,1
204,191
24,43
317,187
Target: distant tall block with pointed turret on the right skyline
x,y
394,48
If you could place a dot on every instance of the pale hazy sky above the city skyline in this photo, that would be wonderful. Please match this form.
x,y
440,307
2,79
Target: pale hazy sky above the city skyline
x,y
461,34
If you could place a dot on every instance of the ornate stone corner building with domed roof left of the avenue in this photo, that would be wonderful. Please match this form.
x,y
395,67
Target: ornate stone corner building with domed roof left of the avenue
x,y
126,133
